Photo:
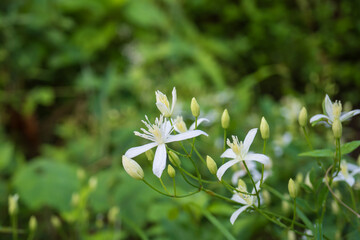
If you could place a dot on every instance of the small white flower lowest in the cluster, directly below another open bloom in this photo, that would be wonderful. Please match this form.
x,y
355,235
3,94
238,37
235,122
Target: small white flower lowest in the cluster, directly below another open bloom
x,y
245,199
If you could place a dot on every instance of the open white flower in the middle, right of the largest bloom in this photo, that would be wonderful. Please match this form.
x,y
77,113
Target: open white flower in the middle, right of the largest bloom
x,y
239,151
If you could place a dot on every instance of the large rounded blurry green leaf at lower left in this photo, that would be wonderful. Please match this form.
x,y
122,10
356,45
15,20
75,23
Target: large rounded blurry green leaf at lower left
x,y
46,183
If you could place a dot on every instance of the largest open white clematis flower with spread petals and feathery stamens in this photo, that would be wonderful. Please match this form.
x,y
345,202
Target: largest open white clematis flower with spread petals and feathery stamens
x,y
160,134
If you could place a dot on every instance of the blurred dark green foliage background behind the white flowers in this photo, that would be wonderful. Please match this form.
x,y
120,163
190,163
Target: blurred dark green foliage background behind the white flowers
x,y
76,78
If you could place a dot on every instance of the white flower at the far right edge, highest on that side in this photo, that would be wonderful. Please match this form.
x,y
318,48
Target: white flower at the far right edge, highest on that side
x,y
331,111
